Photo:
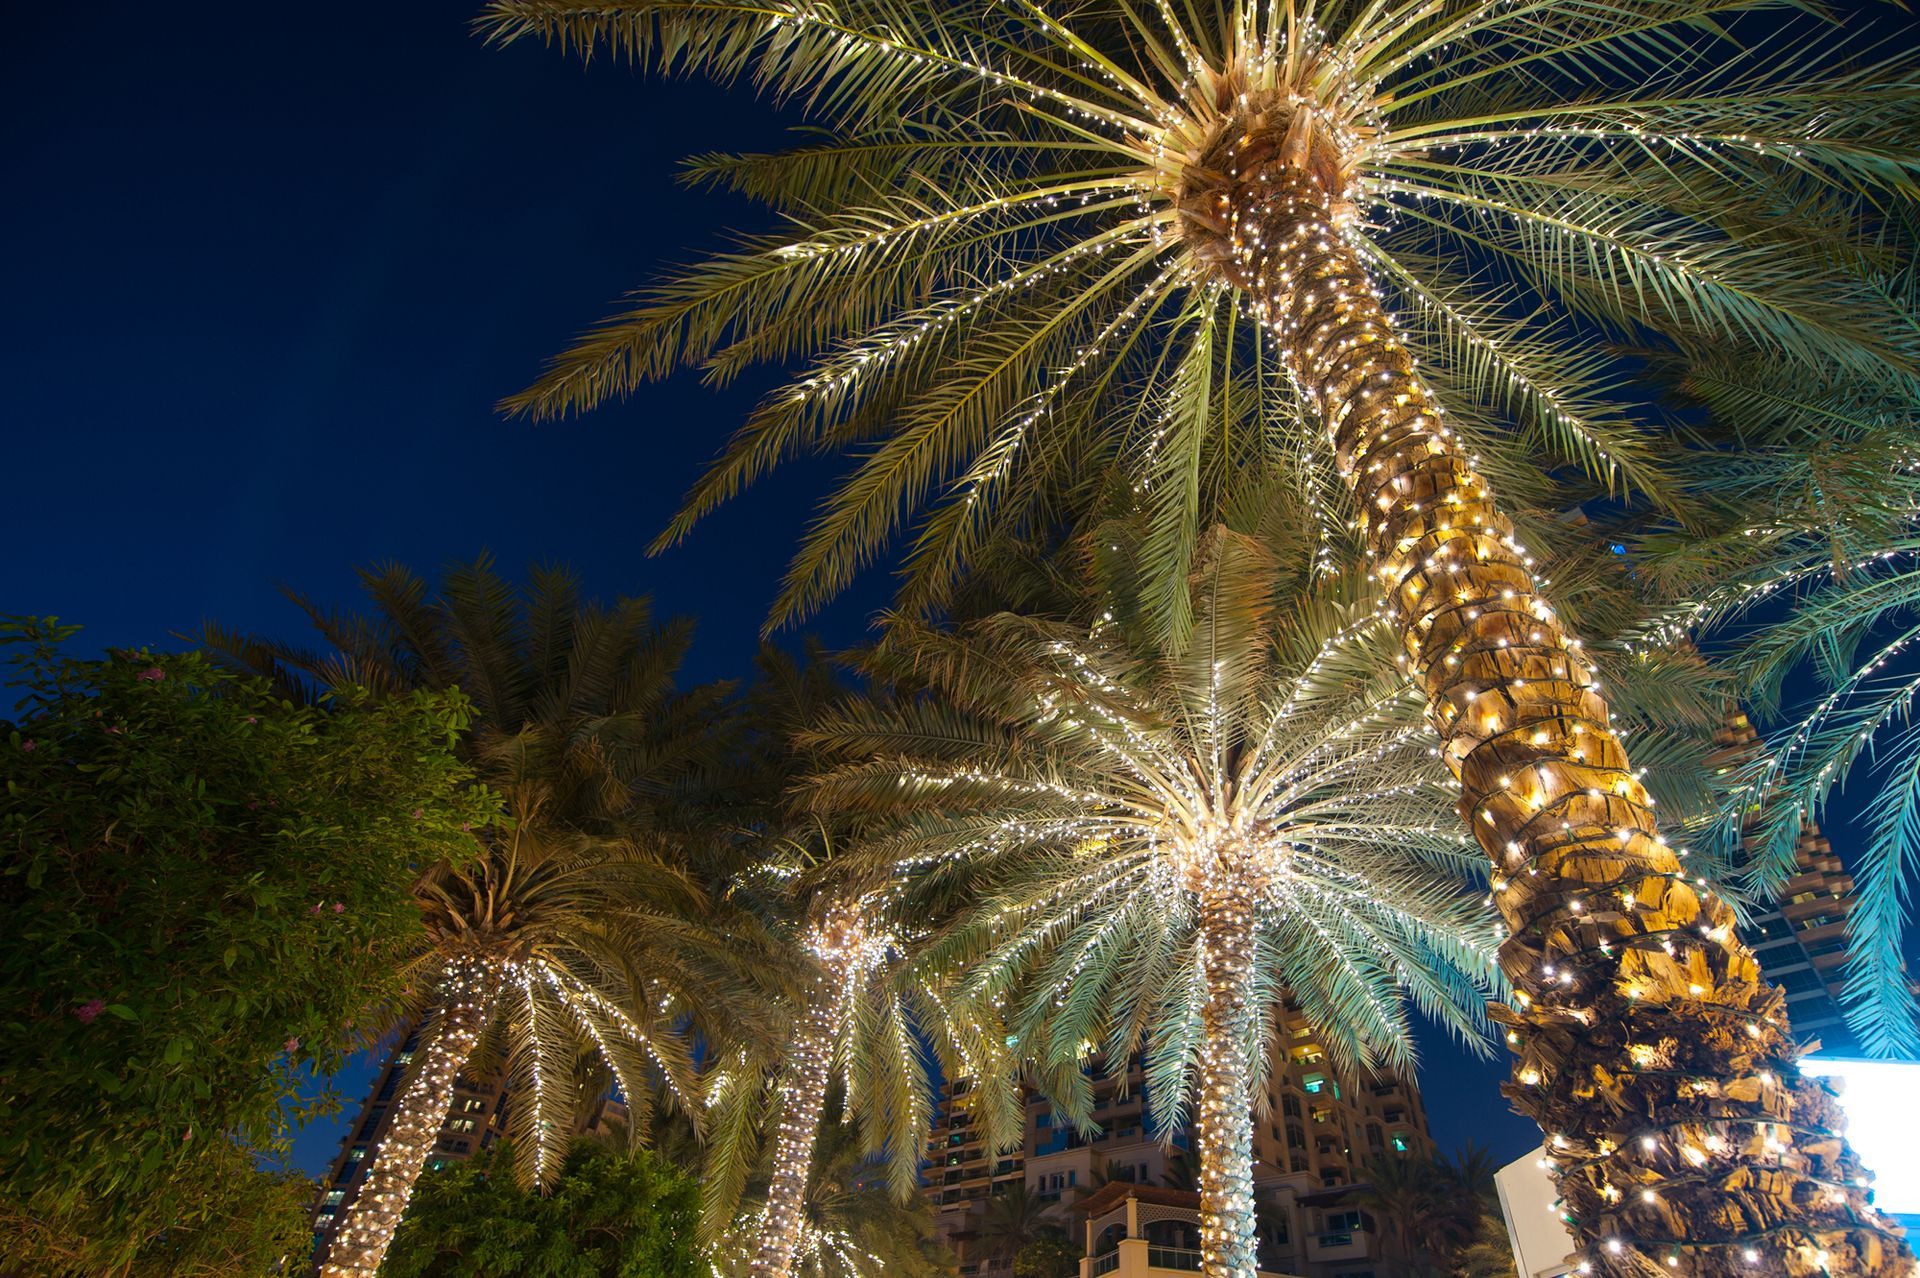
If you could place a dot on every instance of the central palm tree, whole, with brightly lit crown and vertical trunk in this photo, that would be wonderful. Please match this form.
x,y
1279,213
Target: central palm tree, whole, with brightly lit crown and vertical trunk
x,y
1159,840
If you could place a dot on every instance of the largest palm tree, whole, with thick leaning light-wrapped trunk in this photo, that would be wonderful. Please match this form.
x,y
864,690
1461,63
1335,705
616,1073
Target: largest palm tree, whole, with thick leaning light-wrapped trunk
x,y
1199,237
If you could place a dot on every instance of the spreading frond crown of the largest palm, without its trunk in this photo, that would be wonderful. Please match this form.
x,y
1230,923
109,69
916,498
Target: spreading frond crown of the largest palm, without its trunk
x,y
1013,256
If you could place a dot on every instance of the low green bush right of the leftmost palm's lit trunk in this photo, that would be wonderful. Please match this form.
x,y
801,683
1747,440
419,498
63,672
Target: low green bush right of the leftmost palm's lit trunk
x,y
610,1214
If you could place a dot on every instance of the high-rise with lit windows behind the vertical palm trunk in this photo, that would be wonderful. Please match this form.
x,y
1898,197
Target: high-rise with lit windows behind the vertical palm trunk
x,y
1314,1129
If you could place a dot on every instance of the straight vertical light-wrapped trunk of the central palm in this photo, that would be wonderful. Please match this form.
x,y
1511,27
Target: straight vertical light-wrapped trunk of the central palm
x,y
1224,1120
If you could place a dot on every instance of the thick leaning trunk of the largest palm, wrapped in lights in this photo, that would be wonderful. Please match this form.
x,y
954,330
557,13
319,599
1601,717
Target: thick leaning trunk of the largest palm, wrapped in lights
x,y
1650,1051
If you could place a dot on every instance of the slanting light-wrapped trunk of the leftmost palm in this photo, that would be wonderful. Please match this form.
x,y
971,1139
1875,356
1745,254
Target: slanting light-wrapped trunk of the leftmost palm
x,y
360,1244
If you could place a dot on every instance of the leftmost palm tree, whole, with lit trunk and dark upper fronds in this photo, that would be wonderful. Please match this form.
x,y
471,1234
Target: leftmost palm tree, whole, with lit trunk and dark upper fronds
x,y
583,926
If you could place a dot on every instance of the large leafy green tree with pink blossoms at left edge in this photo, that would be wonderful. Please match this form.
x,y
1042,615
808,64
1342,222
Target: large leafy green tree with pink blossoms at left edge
x,y
204,887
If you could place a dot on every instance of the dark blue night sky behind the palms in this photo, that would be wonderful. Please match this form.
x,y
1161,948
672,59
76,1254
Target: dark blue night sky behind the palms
x,y
266,275
